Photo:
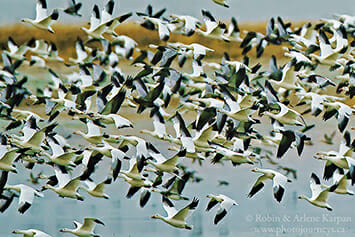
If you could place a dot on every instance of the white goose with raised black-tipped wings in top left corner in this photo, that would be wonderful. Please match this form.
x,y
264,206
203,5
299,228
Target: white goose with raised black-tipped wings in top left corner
x,y
43,20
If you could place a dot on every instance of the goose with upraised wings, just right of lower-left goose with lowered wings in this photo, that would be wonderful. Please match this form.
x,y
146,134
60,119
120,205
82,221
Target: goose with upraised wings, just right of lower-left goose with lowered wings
x,y
67,187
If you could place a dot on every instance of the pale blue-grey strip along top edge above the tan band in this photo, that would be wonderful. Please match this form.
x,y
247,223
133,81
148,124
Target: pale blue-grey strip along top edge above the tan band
x,y
12,11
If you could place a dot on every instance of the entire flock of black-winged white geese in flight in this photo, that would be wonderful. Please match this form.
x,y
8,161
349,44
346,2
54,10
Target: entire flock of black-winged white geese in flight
x,y
221,107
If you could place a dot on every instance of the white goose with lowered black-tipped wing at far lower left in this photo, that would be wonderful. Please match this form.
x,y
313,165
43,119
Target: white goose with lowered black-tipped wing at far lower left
x,y
27,195
